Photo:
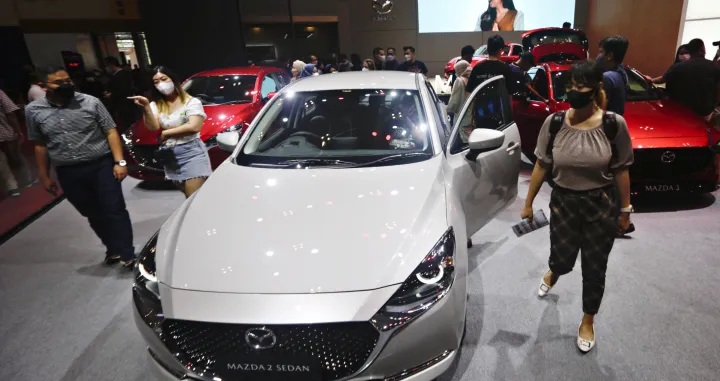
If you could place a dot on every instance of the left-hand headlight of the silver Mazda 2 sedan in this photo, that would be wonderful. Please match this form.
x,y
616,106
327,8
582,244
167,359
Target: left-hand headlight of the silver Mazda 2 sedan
x,y
146,290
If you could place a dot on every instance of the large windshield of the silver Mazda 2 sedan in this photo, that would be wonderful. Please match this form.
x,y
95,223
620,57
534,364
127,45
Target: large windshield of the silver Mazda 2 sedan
x,y
340,128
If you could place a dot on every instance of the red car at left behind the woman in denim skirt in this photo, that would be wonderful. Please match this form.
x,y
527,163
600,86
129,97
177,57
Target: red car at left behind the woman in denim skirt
x,y
231,99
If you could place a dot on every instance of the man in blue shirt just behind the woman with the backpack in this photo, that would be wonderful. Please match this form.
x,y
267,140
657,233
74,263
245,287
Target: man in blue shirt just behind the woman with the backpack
x,y
615,80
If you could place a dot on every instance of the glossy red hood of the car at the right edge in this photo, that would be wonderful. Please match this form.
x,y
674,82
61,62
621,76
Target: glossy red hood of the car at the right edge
x,y
663,119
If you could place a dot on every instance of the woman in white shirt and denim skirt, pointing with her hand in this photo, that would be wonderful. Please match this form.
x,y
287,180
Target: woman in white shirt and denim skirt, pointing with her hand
x,y
180,117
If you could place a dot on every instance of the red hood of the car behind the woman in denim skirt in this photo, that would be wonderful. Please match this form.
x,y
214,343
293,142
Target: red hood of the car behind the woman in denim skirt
x,y
218,119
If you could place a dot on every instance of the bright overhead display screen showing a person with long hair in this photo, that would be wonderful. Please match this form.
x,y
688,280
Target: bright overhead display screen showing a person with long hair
x,y
442,16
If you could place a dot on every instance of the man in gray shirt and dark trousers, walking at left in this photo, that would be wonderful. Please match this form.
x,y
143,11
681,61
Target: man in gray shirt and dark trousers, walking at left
x,y
78,136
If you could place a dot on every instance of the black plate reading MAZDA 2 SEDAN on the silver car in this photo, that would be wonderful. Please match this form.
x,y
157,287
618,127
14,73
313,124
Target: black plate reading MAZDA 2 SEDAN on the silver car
x,y
268,367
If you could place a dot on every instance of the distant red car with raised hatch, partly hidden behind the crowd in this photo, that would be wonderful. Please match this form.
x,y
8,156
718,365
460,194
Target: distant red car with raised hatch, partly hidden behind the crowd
x,y
546,44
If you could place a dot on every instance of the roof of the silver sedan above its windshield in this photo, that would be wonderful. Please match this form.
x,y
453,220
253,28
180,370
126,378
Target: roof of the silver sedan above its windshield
x,y
359,80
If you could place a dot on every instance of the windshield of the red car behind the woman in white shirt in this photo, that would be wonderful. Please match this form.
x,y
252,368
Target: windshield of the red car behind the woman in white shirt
x,y
223,89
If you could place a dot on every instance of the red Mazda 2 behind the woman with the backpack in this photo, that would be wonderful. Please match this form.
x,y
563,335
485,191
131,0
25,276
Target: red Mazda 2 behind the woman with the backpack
x,y
674,147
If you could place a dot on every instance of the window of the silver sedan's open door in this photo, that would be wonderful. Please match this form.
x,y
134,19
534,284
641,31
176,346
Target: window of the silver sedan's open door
x,y
490,108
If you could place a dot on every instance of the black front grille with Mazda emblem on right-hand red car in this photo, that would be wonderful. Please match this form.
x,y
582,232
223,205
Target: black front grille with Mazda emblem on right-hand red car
x,y
649,163
